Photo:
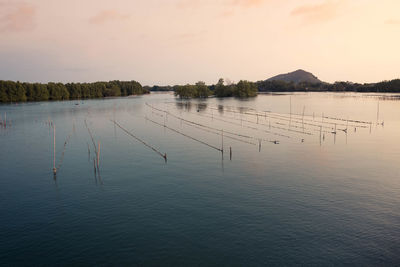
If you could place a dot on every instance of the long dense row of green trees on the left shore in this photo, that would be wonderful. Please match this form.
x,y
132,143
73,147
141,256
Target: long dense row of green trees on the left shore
x,y
19,92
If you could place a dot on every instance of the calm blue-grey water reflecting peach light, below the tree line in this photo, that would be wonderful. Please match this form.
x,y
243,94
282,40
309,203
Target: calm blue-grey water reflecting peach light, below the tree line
x,y
310,198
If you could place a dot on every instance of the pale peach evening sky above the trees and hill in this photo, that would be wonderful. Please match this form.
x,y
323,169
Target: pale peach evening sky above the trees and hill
x,y
168,42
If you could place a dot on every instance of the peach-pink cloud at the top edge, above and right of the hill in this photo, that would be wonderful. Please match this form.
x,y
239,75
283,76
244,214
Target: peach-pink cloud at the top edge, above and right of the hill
x,y
318,12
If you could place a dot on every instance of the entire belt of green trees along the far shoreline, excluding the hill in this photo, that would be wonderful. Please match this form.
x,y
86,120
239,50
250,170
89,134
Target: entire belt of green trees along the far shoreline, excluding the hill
x,y
20,92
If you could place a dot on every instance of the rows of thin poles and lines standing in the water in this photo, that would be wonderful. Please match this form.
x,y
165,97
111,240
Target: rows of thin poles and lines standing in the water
x,y
271,115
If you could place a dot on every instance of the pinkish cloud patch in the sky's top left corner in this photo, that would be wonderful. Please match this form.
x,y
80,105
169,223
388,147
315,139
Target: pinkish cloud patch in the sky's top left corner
x,y
16,17
